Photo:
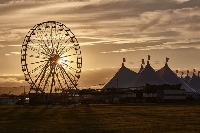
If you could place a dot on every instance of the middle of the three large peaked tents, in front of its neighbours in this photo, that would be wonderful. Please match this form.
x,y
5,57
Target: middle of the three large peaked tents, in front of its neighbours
x,y
147,76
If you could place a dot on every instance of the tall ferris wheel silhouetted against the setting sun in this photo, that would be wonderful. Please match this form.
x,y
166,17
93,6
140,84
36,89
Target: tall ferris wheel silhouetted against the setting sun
x,y
51,58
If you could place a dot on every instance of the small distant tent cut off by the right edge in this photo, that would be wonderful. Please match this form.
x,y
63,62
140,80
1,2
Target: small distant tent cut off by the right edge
x,y
195,83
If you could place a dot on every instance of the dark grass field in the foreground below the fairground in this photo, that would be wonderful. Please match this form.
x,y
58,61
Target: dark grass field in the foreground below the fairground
x,y
135,118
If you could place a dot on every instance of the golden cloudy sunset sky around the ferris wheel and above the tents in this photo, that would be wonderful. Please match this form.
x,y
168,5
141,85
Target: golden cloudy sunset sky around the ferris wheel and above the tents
x,y
107,31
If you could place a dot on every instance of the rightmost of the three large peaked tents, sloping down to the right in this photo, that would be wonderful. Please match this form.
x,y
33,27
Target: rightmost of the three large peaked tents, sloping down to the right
x,y
169,76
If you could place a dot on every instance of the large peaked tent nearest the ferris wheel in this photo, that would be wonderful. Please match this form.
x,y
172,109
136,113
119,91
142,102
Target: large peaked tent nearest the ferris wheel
x,y
124,76
